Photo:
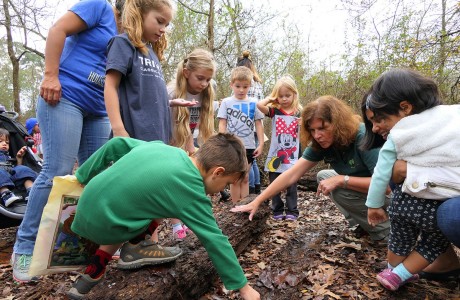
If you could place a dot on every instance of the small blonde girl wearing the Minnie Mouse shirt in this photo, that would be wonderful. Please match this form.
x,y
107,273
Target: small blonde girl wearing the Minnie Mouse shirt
x,y
283,107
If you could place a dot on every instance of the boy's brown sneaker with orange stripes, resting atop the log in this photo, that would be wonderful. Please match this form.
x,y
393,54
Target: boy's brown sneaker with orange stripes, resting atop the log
x,y
146,253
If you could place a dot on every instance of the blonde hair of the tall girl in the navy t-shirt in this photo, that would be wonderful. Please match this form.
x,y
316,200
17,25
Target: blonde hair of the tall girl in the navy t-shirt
x,y
132,23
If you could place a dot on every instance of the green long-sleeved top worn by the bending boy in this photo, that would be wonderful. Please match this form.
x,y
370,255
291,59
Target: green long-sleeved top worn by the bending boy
x,y
149,180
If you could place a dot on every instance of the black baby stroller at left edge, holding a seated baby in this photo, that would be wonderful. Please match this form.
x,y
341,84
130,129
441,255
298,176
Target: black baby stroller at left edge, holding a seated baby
x,y
19,137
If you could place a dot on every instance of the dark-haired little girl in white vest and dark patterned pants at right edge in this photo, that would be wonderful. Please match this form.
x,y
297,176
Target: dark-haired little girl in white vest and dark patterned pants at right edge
x,y
405,109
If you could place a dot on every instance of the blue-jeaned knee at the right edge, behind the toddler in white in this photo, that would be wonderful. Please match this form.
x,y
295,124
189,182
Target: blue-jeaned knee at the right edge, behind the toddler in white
x,y
448,216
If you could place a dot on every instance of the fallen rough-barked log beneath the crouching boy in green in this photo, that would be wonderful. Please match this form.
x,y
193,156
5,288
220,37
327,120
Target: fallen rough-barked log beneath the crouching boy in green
x,y
192,274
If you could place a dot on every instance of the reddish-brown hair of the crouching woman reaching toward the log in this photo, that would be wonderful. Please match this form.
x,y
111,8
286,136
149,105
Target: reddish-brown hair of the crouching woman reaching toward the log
x,y
344,122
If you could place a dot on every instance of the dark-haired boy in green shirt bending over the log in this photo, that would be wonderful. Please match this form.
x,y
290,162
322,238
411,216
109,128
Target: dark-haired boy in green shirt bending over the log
x,y
149,181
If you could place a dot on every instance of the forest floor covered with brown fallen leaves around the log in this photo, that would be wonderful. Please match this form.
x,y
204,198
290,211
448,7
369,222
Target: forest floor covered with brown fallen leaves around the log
x,y
317,257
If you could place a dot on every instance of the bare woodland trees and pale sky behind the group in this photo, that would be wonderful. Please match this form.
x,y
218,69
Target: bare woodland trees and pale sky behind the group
x,y
374,36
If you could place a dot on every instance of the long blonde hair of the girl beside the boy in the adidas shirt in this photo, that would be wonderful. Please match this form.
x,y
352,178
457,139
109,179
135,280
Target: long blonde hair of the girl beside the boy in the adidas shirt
x,y
197,59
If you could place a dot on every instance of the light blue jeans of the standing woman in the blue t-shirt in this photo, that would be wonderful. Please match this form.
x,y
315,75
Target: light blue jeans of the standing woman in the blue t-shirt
x,y
68,134
